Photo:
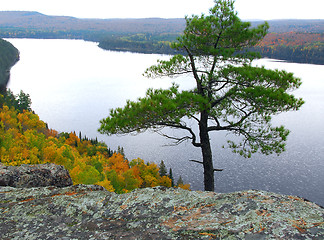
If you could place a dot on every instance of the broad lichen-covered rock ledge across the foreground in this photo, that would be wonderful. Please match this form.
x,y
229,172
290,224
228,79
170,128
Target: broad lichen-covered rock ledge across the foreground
x,y
90,212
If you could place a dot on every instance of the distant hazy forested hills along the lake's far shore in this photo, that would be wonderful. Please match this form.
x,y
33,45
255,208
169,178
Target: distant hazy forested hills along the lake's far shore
x,y
300,41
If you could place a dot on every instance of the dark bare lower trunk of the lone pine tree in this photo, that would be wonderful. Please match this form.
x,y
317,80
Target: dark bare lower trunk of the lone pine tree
x,y
209,180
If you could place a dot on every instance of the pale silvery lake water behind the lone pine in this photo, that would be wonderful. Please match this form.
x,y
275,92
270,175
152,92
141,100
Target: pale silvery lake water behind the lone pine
x,y
73,84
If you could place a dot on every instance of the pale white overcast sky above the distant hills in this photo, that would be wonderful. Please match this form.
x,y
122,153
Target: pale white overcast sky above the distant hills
x,y
247,9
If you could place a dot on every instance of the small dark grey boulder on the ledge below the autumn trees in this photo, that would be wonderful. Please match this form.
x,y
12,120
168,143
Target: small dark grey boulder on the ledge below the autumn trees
x,y
41,175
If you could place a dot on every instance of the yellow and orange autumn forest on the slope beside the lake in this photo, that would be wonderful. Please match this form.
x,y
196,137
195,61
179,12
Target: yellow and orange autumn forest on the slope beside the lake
x,y
25,139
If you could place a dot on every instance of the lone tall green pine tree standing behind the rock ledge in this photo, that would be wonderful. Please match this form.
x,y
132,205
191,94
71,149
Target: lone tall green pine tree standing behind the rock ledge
x,y
230,94
